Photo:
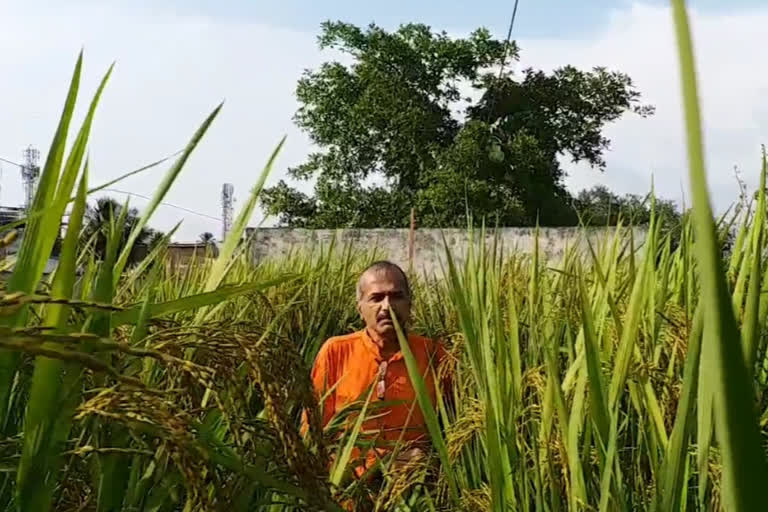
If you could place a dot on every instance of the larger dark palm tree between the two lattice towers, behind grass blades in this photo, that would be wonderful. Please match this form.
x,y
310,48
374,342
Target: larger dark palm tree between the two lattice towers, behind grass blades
x,y
96,224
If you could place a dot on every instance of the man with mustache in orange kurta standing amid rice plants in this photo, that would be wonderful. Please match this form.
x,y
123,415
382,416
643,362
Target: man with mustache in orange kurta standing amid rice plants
x,y
349,365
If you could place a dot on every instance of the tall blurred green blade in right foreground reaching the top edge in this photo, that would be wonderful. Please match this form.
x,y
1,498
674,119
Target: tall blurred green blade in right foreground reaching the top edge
x,y
744,465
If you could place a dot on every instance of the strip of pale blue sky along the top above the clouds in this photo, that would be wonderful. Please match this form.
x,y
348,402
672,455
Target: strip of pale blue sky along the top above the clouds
x,y
535,18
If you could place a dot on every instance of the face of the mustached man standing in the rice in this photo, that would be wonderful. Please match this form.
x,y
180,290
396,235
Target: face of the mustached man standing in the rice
x,y
383,291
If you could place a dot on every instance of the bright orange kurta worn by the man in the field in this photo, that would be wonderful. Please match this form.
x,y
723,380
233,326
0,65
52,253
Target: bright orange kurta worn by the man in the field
x,y
352,364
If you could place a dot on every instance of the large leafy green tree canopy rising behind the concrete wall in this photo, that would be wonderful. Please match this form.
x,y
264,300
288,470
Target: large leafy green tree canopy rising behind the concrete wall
x,y
397,128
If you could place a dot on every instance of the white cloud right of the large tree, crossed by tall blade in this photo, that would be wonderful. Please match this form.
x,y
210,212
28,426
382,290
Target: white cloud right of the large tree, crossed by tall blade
x,y
733,86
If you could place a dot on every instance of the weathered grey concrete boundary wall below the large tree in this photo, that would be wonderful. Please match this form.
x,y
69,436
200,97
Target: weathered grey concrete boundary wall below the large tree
x,y
429,252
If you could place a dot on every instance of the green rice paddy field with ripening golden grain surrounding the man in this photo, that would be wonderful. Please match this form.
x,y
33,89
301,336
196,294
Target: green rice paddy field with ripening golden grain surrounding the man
x,y
627,376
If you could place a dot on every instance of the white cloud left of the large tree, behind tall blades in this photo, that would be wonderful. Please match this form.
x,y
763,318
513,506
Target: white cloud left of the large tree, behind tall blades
x,y
170,73
